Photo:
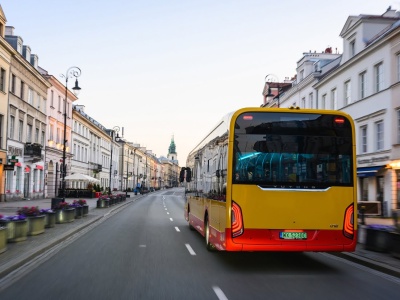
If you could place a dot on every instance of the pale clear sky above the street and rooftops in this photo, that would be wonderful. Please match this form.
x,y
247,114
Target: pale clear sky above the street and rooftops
x,y
173,69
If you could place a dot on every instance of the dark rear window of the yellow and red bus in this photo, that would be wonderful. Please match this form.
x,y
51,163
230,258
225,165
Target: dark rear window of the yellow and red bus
x,y
293,150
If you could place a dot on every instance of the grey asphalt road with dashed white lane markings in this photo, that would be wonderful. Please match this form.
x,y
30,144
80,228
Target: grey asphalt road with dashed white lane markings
x,y
146,251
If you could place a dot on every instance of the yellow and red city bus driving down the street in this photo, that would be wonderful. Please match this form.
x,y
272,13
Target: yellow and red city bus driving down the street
x,y
275,180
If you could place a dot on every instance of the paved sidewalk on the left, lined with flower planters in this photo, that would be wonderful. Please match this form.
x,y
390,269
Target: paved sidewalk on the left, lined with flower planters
x,y
17,254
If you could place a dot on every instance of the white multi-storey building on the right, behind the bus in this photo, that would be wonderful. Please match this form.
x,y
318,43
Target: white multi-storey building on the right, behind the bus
x,y
365,82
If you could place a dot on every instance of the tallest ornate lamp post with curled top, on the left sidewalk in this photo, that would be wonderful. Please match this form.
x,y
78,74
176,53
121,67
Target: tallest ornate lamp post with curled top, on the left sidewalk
x,y
71,72
